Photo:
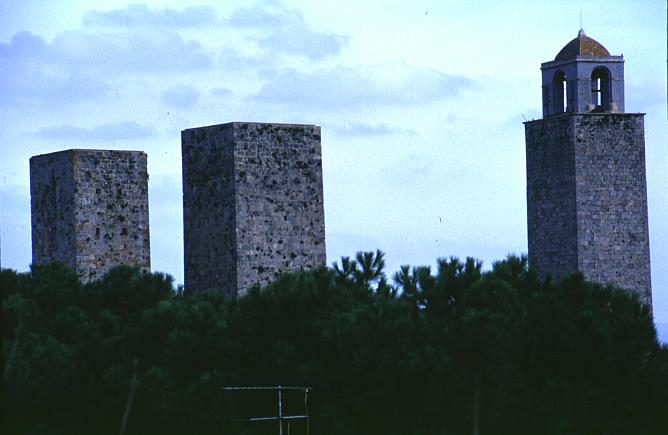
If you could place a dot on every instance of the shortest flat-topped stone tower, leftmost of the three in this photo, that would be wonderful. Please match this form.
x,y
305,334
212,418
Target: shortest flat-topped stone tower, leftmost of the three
x,y
90,210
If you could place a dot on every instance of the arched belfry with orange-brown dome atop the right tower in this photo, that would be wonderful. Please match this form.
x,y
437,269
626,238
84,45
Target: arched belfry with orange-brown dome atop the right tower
x,y
583,77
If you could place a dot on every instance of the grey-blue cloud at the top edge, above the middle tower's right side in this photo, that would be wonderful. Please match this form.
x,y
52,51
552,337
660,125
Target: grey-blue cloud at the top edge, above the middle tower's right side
x,y
285,31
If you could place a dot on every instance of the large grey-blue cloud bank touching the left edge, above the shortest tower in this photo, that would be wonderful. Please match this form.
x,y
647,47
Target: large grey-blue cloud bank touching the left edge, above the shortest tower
x,y
79,66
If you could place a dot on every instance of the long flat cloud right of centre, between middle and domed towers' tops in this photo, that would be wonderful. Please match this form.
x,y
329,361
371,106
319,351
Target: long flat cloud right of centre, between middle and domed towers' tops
x,y
390,83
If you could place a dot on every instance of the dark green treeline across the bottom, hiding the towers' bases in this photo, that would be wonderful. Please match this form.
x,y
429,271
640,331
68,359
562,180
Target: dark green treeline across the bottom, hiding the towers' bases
x,y
453,350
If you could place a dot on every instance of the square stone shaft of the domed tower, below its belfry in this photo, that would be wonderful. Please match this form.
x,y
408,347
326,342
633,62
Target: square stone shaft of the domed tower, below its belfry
x,y
587,199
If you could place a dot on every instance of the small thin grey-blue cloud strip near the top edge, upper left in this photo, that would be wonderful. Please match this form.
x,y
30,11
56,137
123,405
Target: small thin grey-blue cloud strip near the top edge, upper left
x,y
137,15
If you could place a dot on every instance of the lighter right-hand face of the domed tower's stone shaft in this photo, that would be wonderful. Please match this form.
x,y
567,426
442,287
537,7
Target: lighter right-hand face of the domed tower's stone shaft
x,y
613,238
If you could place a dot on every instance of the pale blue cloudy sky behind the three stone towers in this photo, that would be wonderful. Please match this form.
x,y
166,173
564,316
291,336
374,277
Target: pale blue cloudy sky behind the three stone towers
x,y
421,105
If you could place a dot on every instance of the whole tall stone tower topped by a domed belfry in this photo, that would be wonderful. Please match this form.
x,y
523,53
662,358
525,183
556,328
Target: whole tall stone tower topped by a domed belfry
x,y
586,188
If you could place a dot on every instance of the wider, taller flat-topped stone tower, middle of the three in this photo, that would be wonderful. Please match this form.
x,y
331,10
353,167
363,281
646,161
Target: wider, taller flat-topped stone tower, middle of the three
x,y
252,204
